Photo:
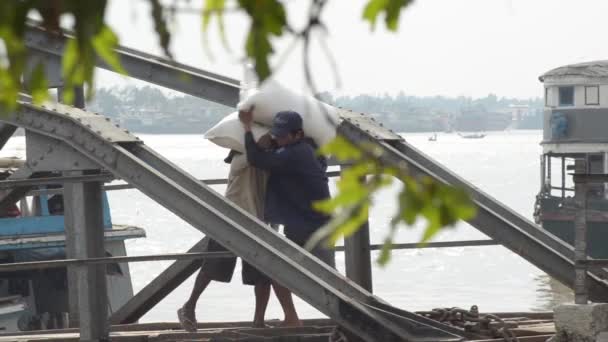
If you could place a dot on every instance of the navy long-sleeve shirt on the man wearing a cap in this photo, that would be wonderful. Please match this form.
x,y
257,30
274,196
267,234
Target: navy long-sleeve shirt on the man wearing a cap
x,y
297,179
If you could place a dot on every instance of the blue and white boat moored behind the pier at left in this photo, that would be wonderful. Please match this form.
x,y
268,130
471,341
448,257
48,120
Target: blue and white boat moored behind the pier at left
x,y
32,229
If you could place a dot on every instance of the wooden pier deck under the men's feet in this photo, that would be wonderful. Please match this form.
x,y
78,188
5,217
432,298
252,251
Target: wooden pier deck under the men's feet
x,y
528,327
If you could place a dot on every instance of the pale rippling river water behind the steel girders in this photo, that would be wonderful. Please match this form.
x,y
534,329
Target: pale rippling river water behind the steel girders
x,y
504,164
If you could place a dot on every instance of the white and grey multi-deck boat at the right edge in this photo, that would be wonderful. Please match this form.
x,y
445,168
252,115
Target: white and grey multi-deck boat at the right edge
x,y
575,121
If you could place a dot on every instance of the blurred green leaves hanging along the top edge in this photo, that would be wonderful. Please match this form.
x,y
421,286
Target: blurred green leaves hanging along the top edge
x,y
94,39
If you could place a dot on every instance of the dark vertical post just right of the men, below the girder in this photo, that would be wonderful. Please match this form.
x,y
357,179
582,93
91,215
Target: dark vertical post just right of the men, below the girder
x,y
357,257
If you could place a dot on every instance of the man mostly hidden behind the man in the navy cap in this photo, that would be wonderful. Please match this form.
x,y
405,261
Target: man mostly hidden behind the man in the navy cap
x,y
246,188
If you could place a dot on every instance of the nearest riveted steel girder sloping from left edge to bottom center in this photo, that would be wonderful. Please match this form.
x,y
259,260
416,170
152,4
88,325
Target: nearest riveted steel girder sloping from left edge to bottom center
x,y
95,138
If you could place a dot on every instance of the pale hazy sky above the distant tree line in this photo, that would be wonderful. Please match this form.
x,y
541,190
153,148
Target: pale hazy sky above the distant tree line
x,y
443,47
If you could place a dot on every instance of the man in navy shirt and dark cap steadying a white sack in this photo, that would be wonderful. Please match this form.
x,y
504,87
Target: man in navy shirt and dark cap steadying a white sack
x,y
297,179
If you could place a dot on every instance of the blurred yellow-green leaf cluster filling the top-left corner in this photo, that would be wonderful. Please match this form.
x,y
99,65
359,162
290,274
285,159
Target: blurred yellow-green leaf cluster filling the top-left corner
x,y
92,39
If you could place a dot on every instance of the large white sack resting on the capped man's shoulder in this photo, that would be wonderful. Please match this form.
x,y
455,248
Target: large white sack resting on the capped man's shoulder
x,y
272,98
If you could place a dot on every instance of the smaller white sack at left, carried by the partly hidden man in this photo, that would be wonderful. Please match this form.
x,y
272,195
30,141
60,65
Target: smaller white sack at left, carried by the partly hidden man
x,y
229,133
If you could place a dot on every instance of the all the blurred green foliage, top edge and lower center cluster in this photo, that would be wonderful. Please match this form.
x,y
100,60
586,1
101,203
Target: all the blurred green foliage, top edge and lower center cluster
x,y
438,204
